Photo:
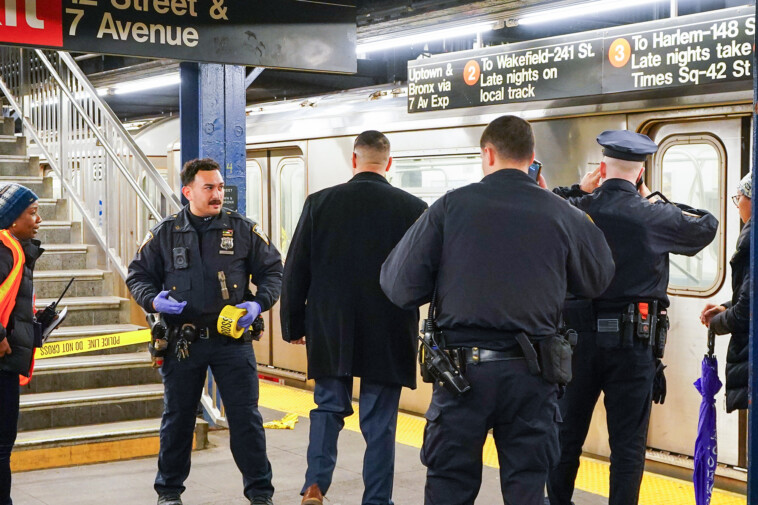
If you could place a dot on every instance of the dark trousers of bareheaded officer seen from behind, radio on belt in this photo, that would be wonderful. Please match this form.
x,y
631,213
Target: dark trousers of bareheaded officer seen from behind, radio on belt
x,y
522,411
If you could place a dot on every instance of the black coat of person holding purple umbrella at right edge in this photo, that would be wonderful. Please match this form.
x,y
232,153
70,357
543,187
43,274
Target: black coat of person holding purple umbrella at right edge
x,y
736,320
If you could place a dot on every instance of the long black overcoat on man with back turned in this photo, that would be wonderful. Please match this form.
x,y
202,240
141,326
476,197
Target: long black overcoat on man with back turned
x,y
331,289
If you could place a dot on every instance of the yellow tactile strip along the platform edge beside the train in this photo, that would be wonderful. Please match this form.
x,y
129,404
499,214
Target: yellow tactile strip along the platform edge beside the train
x,y
592,478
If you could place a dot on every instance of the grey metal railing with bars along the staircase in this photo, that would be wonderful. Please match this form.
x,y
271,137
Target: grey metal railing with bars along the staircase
x,y
111,182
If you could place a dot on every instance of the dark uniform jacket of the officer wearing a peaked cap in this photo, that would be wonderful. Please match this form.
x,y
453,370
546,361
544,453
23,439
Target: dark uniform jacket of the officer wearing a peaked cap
x,y
641,235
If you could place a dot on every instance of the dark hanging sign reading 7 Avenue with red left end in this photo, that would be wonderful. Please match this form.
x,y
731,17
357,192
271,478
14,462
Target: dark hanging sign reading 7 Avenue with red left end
x,y
295,34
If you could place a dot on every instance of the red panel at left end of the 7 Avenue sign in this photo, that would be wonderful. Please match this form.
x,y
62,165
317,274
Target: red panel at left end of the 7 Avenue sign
x,y
31,22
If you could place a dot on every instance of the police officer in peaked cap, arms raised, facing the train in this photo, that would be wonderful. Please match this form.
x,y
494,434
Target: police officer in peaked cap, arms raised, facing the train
x,y
621,331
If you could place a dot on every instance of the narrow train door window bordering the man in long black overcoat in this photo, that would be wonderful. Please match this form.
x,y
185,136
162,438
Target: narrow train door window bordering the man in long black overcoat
x,y
292,184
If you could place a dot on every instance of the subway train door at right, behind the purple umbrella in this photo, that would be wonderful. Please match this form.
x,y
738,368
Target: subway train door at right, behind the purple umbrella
x,y
698,163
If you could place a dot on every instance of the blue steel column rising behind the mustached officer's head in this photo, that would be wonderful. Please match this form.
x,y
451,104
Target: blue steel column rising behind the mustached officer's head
x,y
212,117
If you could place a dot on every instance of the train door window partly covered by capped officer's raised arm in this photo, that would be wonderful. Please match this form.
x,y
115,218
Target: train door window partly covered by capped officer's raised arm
x,y
691,171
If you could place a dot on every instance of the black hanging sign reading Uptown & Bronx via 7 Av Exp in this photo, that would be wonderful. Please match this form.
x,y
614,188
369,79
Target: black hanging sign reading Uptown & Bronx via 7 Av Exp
x,y
691,50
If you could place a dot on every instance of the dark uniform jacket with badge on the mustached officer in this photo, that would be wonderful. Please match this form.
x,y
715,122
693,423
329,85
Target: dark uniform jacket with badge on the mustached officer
x,y
232,243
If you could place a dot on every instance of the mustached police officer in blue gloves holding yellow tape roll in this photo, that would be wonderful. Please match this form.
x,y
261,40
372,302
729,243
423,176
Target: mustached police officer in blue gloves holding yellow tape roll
x,y
189,267
